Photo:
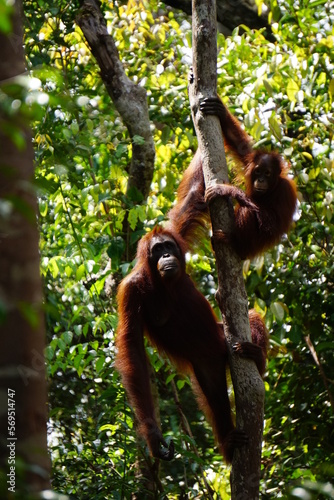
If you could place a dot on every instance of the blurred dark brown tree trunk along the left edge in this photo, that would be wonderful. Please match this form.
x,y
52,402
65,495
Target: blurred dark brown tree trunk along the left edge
x,y
23,410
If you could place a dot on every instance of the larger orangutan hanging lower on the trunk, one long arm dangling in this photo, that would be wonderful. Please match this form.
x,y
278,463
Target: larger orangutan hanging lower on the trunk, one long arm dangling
x,y
158,299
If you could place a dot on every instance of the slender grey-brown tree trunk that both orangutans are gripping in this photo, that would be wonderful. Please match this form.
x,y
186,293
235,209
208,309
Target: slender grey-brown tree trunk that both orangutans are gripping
x,y
231,295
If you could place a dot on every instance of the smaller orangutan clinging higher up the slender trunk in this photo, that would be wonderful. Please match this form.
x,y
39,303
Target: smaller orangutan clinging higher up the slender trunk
x,y
263,213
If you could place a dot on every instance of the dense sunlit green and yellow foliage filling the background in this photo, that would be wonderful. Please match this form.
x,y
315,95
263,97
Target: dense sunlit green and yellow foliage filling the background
x,y
283,93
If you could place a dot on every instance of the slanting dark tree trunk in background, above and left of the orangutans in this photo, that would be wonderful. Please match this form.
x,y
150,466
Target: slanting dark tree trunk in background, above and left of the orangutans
x,y
130,99
